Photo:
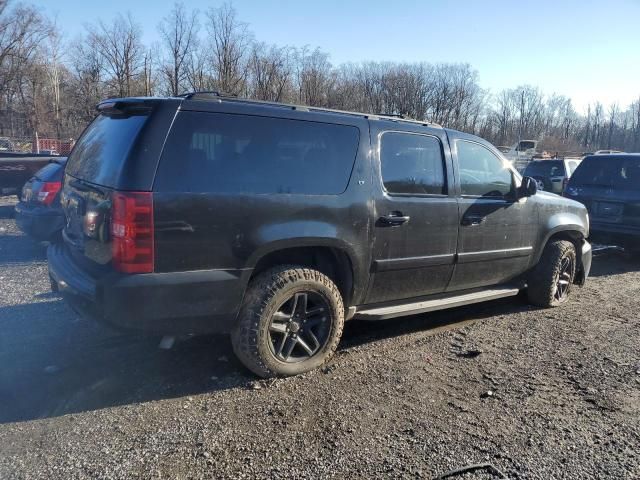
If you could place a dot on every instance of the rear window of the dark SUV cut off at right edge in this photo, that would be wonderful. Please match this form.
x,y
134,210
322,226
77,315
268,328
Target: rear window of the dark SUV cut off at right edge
x,y
611,172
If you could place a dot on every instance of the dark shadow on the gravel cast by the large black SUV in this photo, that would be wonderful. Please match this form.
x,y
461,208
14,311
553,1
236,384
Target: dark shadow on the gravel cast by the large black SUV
x,y
52,362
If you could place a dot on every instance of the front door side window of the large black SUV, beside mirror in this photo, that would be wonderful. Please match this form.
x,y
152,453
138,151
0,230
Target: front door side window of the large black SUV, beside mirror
x,y
482,173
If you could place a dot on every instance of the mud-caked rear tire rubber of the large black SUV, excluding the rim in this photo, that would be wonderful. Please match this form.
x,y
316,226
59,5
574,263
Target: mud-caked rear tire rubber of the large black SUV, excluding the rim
x,y
250,336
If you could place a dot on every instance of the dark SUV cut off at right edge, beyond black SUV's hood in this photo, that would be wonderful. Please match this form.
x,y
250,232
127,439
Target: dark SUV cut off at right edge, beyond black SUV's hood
x,y
609,186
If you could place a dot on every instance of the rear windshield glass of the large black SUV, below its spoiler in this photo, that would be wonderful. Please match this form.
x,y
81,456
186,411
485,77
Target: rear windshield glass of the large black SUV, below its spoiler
x,y
101,151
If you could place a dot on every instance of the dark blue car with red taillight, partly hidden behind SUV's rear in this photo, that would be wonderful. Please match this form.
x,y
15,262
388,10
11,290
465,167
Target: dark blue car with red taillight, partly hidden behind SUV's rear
x,y
39,213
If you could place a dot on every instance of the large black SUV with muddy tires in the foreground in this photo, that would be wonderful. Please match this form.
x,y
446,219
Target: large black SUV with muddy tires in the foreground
x,y
276,223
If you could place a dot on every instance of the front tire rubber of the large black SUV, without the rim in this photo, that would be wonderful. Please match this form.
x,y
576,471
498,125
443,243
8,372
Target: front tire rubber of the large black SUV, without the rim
x,y
542,283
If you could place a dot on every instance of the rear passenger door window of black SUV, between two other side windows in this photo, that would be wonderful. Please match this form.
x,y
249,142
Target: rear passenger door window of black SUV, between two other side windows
x,y
412,164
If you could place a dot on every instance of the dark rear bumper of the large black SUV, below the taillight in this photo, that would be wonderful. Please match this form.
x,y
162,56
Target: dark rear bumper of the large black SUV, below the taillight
x,y
166,303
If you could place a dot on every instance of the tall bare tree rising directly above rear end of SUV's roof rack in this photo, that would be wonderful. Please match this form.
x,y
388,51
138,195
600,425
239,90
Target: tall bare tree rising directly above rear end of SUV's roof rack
x,y
179,34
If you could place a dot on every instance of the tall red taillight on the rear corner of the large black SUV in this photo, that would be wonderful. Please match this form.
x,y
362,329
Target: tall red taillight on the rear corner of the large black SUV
x,y
132,232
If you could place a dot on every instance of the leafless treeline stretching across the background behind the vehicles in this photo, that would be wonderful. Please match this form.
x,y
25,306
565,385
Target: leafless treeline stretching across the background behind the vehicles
x,y
51,85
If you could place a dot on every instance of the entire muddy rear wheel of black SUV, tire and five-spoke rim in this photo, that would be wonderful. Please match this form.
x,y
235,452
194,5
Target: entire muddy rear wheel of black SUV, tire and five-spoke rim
x,y
291,322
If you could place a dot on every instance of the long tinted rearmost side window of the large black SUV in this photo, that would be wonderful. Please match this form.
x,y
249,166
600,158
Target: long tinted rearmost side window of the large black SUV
x,y
215,152
